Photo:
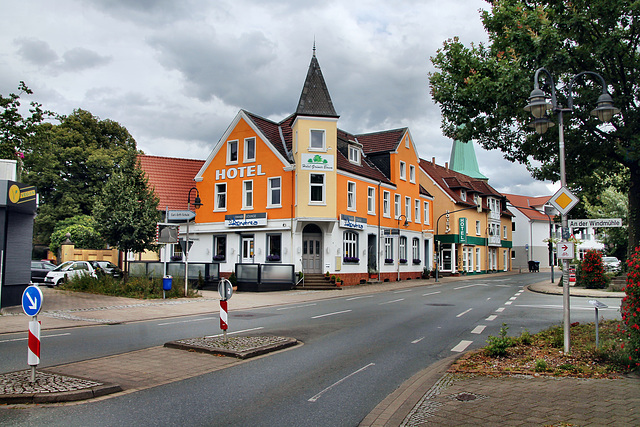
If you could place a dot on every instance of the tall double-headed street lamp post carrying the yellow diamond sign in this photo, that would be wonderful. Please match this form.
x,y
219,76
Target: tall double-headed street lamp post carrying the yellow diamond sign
x,y
538,106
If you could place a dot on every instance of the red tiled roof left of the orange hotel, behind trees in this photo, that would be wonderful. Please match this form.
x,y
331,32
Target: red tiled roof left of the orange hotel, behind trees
x,y
170,178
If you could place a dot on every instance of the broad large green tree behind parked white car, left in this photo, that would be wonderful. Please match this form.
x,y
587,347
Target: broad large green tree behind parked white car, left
x,y
69,164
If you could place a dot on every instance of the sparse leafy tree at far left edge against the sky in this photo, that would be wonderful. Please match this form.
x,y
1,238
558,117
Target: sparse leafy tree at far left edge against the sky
x,y
14,127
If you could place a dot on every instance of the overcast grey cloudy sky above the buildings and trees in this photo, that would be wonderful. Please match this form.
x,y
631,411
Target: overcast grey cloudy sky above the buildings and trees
x,y
175,73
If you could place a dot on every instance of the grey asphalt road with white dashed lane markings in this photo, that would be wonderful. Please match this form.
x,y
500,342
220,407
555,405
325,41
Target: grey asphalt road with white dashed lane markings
x,y
356,351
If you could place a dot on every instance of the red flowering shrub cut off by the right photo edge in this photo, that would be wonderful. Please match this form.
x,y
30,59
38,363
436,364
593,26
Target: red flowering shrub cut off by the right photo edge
x,y
630,309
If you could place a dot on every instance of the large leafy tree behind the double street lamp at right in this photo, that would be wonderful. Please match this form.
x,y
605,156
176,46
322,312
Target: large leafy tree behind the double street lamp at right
x,y
486,86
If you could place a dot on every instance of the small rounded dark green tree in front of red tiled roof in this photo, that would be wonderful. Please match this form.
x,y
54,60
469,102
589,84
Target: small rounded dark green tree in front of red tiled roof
x,y
127,210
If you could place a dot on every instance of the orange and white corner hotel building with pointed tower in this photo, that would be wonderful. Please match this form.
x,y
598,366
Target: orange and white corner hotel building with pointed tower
x,y
304,192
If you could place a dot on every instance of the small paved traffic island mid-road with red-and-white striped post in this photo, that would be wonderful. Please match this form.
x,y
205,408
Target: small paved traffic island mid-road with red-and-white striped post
x,y
238,347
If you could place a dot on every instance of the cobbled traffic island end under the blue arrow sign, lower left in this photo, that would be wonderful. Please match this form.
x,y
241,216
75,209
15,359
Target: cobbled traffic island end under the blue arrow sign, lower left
x,y
16,387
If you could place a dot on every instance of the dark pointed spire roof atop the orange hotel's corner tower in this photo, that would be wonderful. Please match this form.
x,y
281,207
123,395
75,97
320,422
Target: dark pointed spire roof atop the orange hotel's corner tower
x,y
315,99
